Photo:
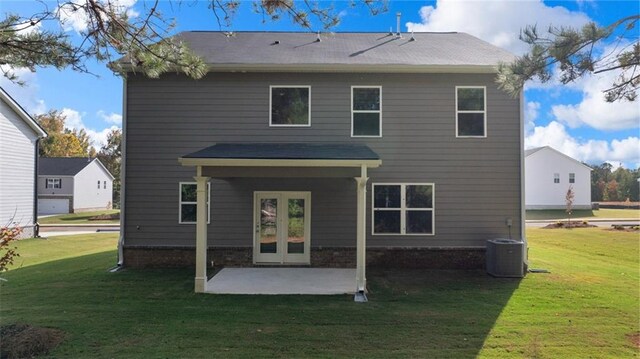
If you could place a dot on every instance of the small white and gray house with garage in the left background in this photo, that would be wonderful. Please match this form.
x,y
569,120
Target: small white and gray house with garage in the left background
x,y
73,184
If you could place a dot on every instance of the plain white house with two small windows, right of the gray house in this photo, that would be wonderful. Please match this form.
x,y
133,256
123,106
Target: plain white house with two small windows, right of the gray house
x,y
548,176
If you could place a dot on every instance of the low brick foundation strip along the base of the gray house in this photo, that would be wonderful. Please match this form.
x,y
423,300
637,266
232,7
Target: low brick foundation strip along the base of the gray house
x,y
333,257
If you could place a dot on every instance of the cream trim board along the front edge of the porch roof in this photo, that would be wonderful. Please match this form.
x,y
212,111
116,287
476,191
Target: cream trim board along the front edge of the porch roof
x,y
253,162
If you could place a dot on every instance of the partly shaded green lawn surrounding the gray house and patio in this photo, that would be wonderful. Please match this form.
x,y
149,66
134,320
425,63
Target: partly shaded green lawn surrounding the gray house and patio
x,y
586,307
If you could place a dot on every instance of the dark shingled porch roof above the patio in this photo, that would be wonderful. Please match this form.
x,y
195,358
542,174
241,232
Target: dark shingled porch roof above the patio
x,y
286,151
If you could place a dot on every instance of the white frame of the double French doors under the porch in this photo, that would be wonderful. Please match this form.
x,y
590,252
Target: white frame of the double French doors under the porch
x,y
281,256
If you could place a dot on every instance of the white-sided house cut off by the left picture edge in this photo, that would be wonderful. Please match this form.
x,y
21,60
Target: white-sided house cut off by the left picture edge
x,y
19,135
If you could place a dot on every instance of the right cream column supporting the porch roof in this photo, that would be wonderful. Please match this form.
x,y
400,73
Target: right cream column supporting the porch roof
x,y
361,184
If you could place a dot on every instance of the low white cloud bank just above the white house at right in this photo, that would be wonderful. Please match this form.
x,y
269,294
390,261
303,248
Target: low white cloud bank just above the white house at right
x,y
591,151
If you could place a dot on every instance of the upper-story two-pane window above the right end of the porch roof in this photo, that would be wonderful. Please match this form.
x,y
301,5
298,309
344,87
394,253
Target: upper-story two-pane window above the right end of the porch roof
x,y
366,111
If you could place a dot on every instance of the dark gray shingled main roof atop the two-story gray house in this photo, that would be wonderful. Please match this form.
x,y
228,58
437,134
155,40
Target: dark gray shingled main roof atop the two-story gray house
x,y
299,48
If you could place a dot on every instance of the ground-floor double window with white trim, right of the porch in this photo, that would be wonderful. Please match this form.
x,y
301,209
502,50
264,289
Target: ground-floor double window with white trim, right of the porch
x,y
406,209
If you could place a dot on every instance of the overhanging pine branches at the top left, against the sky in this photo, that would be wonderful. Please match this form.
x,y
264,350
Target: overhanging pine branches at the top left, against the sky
x,y
143,42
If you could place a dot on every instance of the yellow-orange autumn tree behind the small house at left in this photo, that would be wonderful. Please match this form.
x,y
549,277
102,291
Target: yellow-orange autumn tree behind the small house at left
x,y
62,142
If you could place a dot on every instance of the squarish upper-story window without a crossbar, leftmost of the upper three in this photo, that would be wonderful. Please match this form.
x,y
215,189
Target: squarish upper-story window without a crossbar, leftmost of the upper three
x,y
290,106
